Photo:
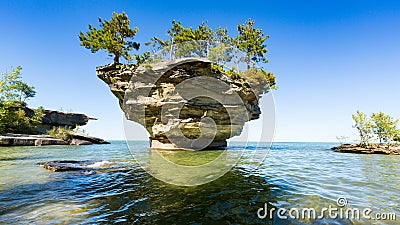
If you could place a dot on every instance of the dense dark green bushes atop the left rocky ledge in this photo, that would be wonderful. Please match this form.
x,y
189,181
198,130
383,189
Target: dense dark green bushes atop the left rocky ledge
x,y
14,120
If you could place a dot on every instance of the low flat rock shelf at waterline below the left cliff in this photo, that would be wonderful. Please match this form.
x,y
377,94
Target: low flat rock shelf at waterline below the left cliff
x,y
42,139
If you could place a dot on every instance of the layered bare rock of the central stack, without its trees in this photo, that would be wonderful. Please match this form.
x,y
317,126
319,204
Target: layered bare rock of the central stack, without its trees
x,y
183,103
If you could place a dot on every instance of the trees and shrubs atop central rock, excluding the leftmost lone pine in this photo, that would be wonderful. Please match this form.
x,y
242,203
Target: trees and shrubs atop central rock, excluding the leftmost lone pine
x,y
218,46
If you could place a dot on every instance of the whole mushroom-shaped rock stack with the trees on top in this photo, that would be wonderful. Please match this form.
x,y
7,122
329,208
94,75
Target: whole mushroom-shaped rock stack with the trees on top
x,y
192,91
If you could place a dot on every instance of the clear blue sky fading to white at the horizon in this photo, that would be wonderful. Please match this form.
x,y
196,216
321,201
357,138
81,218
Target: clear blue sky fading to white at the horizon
x,y
330,57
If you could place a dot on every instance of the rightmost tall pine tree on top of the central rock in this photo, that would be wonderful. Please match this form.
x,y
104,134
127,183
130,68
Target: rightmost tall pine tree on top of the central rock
x,y
251,41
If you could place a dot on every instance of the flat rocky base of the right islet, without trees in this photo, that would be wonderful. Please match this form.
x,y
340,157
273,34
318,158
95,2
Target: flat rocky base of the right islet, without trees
x,y
373,149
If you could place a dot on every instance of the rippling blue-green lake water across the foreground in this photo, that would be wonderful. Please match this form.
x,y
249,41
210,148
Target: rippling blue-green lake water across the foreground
x,y
293,175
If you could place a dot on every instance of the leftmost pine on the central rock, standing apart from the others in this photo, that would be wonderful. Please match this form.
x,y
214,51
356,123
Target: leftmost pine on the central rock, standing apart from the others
x,y
115,37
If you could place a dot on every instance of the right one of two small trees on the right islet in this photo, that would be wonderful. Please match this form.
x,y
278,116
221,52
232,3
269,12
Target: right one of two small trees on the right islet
x,y
384,126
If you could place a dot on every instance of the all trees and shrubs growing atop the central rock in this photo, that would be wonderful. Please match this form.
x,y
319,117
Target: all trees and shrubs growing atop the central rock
x,y
202,41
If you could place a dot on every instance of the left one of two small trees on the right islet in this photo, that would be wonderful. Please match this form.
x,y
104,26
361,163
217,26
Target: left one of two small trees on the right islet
x,y
364,127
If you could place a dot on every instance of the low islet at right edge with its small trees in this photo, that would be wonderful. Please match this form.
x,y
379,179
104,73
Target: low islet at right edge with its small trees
x,y
380,128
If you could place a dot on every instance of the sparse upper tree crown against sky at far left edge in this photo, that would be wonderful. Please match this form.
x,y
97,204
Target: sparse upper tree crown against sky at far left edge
x,y
13,88
